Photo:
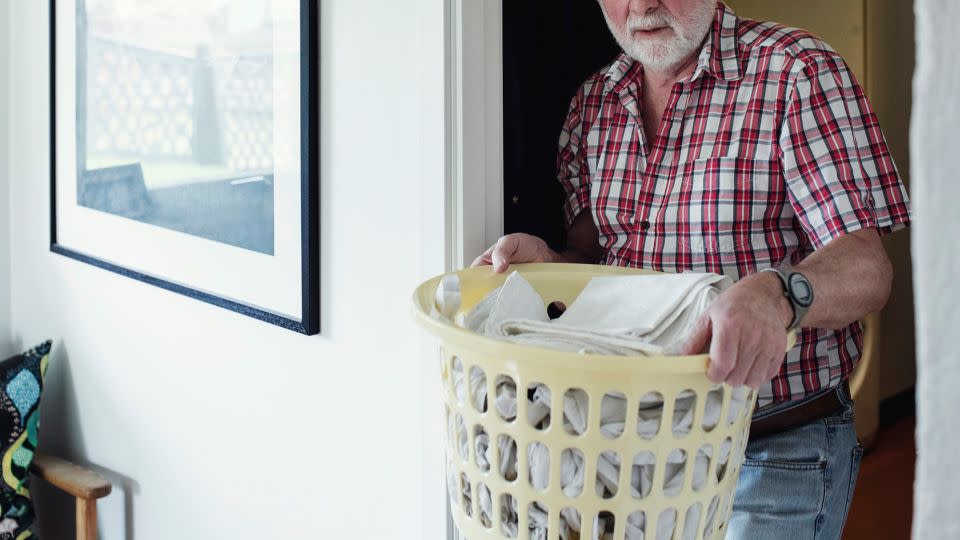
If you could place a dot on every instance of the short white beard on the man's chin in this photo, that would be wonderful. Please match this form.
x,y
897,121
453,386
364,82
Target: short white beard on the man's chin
x,y
663,53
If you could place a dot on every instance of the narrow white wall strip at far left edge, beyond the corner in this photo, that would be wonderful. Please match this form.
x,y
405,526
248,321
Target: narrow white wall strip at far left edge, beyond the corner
x,y
5,345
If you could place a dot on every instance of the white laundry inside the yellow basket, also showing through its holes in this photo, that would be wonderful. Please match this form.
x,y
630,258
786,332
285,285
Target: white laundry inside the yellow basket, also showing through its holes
x,y
622,315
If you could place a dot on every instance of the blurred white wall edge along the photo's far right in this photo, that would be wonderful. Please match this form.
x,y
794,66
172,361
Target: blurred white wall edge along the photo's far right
x,y
936,114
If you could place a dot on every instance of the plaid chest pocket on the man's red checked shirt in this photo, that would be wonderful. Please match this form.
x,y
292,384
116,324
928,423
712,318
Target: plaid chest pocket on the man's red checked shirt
x,y
717,207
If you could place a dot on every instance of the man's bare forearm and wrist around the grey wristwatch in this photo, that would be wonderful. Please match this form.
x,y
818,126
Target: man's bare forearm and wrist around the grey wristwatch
x,y
851,277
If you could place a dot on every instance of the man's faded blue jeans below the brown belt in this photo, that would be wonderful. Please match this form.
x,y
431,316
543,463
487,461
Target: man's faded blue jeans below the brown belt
x,y
798,484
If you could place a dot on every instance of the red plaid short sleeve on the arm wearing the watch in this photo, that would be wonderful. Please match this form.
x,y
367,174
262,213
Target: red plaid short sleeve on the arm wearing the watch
x,y
837,167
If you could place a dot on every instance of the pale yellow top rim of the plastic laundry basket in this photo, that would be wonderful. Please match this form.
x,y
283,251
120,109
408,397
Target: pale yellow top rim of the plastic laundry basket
x,y
462,338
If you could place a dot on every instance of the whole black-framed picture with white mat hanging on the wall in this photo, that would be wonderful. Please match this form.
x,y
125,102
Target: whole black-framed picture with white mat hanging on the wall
x,y
184,148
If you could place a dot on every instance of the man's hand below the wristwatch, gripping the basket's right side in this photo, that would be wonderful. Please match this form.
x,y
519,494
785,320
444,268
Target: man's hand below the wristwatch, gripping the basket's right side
x,y
747,324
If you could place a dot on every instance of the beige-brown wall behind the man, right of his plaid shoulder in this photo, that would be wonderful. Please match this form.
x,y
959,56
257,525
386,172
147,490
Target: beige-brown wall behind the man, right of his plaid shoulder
x,y
876,39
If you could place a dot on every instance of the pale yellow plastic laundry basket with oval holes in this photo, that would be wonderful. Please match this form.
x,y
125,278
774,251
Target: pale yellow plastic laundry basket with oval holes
x,y
478,360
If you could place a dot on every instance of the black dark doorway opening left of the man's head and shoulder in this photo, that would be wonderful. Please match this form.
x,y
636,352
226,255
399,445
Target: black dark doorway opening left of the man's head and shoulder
x,y
549,49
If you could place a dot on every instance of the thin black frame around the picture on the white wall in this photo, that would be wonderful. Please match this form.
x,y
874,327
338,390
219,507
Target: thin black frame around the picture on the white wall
x,y
309,322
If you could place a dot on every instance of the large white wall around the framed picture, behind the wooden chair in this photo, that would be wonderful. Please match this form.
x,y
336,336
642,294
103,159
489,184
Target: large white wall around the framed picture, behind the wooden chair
x,y
215,425
